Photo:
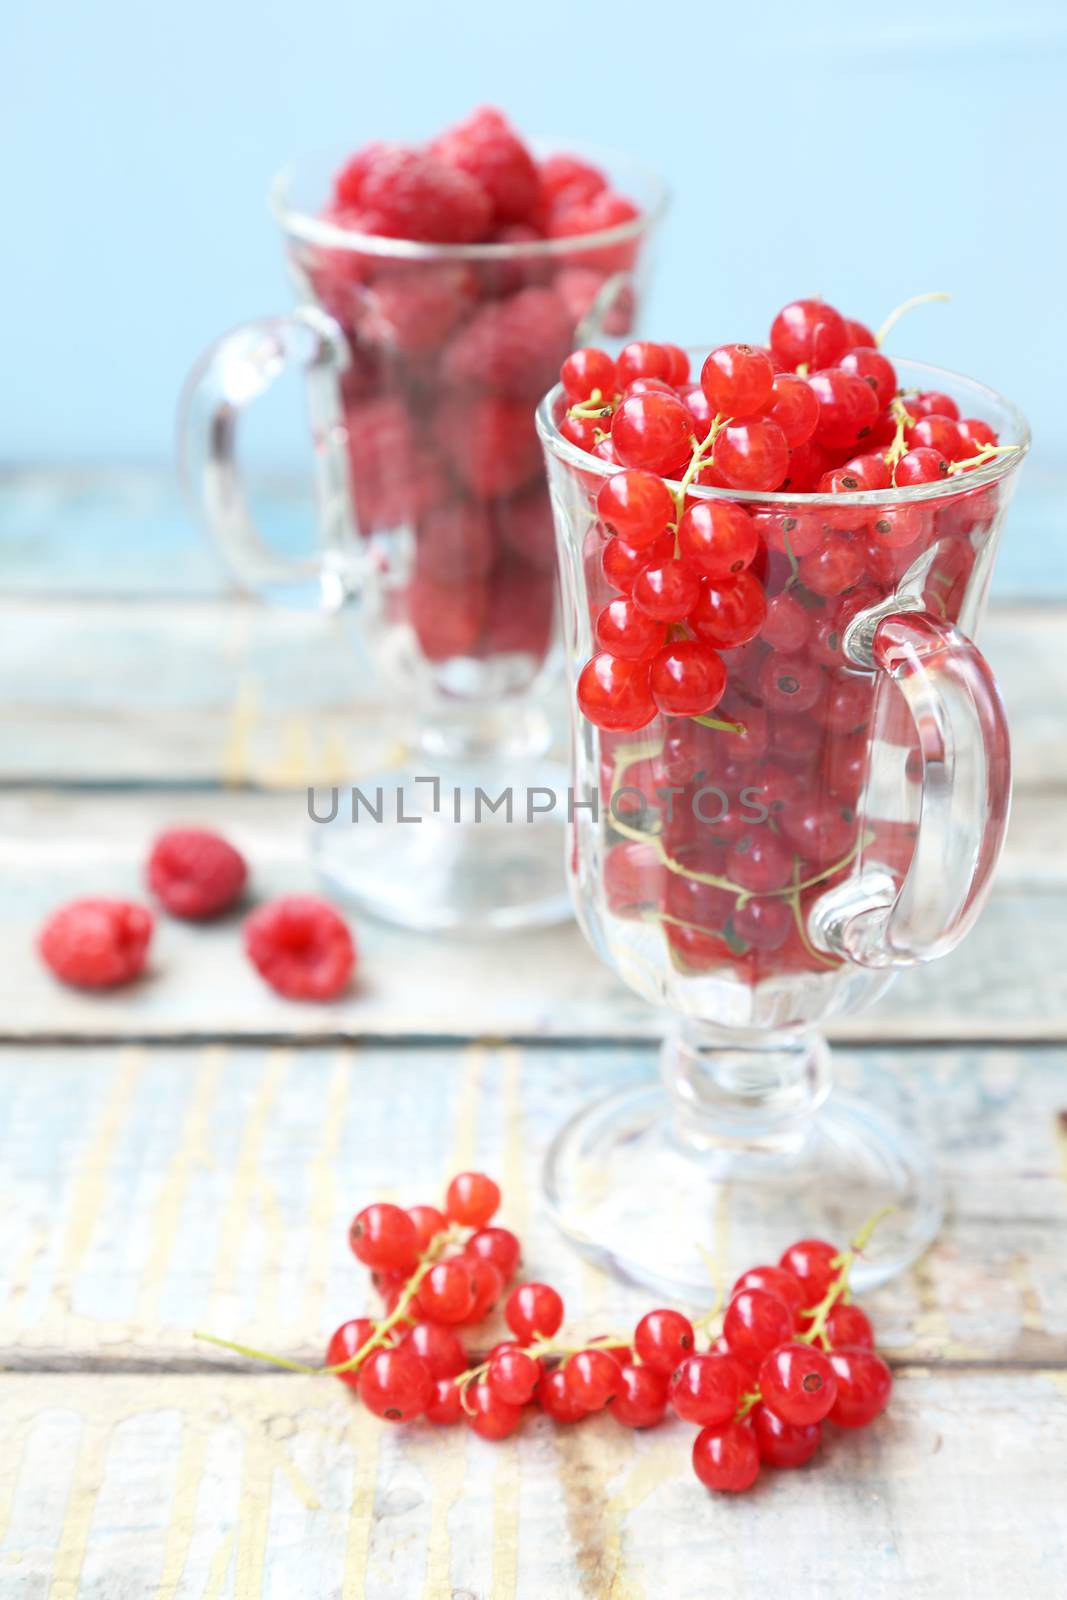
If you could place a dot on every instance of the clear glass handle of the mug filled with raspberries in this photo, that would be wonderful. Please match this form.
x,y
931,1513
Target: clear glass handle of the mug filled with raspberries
x,y
234,372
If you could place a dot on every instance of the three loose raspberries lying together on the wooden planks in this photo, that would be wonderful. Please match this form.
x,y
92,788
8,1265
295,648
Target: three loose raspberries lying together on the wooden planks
x,y
297,943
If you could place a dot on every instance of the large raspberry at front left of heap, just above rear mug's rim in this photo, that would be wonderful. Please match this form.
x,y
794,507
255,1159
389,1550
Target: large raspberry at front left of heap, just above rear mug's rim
x,y
407,194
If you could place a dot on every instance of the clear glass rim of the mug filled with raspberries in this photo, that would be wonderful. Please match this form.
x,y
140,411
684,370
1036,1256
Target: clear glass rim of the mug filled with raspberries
x,y
311,230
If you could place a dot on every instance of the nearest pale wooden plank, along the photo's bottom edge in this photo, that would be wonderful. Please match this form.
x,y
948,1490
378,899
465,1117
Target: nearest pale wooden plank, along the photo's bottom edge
x,y
188,1487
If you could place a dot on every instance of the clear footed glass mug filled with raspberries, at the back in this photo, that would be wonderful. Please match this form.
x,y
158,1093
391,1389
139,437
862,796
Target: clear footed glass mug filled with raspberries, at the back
x,y
434,516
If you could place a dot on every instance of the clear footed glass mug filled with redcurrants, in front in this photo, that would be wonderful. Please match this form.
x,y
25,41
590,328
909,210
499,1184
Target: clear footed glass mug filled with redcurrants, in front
x,y
836,818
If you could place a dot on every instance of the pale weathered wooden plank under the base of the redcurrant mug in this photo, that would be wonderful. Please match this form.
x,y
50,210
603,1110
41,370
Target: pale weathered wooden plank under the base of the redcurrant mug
x,y
156,1191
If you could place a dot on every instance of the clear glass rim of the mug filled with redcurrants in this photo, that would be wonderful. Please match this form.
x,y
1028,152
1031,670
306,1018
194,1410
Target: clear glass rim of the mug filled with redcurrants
x,y
993,473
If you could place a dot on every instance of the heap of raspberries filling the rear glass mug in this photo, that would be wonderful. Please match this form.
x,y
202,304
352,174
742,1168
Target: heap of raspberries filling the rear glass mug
x,y
449,358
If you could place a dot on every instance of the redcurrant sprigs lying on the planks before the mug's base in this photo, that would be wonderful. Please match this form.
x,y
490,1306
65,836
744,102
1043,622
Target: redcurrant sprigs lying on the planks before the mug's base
x,y
789,1354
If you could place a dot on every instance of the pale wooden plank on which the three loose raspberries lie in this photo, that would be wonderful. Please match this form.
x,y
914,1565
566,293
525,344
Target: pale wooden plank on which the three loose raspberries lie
x,y
58,846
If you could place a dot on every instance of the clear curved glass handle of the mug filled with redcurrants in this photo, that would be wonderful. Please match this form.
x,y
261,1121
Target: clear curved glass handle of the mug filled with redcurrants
x,y
965,756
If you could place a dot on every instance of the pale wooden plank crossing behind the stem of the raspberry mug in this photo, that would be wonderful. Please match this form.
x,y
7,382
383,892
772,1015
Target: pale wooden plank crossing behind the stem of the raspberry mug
x,y
231,692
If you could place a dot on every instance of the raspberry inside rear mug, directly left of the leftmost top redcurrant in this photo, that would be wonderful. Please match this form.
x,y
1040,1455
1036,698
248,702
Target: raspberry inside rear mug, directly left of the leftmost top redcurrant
x,y
514,346
